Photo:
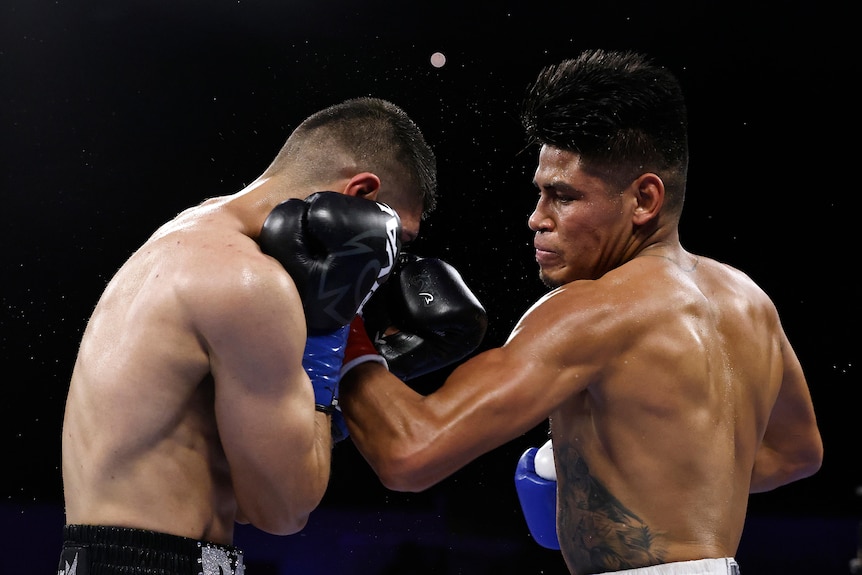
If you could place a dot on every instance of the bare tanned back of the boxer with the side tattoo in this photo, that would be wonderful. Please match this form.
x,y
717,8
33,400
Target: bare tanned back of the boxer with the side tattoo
x,y
657,452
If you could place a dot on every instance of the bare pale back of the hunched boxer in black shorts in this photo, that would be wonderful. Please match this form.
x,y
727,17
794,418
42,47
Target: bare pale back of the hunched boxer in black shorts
x,y
152,460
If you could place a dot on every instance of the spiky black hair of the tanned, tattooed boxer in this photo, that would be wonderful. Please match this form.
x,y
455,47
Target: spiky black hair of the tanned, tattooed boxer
x,y
622,113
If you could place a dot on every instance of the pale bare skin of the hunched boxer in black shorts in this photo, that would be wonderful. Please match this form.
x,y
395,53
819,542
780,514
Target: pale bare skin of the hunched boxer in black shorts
x,y
188,408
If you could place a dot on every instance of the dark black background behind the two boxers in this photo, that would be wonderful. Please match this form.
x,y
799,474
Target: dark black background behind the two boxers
x,y
115,116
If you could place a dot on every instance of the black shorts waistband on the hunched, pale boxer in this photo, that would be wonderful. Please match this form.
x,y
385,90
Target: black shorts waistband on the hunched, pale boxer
x,y
105,550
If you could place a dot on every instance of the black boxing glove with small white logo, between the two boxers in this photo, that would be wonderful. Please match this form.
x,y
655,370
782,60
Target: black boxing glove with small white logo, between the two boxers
x,y
439,320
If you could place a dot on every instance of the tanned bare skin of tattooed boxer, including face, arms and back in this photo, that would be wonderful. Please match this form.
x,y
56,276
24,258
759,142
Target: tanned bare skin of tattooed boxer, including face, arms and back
x,y
671,388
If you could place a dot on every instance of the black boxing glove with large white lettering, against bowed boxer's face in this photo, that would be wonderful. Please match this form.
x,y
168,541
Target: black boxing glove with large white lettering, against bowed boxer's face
x,y
337,248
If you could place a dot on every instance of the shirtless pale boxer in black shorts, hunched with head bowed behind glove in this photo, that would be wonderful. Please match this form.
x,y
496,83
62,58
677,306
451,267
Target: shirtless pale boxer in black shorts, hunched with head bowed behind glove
x,y
205,388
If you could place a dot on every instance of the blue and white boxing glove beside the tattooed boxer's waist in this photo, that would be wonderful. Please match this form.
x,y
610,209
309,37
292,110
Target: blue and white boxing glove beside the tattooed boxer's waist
x,y
536,484
